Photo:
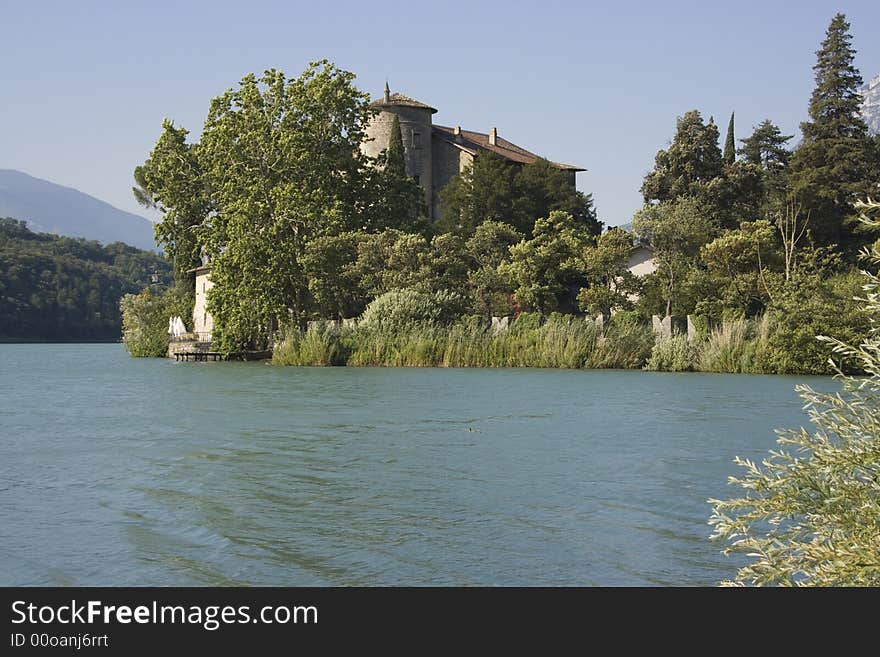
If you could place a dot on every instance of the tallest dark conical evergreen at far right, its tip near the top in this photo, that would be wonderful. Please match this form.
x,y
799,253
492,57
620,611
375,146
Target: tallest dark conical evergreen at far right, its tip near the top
x,y
830,168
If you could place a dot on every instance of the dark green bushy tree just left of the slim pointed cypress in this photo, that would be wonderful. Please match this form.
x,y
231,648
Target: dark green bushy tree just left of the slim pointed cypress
x,y
690,162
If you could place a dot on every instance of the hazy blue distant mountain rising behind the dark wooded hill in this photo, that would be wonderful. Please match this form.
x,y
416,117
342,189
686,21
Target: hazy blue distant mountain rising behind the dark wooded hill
x,y
52,208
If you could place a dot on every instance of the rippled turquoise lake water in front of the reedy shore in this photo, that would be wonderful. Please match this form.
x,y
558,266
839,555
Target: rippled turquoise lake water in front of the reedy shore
x,y
121,471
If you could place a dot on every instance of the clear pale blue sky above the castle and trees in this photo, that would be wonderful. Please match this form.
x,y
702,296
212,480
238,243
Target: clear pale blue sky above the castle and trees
x,y
85,84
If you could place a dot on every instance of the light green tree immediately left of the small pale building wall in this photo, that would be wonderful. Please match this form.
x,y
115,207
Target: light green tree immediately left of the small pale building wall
x,y
608,282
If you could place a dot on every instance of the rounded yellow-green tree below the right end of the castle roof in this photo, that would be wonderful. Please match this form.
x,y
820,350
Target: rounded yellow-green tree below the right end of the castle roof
x,y
545,270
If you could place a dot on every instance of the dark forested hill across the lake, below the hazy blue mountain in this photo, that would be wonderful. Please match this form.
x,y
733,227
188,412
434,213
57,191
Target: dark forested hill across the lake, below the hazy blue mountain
x,y
67,289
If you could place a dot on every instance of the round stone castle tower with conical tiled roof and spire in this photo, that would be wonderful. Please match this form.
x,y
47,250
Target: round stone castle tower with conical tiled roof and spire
x,y
415,128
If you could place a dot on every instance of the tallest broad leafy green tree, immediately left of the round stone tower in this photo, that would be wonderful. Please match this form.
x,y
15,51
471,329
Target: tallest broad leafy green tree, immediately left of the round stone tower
x,y
282,160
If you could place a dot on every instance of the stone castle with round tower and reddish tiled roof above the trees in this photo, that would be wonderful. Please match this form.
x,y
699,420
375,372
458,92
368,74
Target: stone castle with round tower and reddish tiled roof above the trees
x,y
434,154
